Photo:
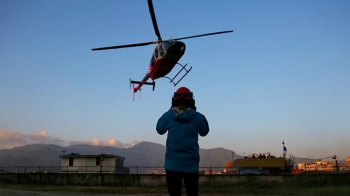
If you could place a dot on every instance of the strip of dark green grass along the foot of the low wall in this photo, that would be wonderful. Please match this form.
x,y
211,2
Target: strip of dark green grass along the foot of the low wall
x,y
271,188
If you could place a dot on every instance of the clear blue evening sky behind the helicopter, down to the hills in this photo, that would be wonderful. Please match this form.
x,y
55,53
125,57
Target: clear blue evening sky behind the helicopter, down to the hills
x,y
282,75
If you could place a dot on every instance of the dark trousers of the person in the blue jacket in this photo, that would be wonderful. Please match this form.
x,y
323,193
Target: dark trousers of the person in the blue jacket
x,y
174,182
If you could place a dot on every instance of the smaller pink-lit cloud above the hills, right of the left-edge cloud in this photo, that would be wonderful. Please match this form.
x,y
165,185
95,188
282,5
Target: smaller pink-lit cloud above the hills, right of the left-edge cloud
x,y
112,142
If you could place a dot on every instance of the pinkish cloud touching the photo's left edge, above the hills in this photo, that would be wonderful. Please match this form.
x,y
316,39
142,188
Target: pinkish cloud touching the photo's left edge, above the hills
x,y
11,139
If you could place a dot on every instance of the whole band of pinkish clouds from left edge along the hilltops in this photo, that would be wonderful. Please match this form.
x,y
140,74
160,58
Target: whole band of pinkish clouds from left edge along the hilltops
x,y
11,139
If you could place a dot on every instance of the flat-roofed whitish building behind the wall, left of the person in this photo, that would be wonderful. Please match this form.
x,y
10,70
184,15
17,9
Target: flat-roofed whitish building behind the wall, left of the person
x,y
102,163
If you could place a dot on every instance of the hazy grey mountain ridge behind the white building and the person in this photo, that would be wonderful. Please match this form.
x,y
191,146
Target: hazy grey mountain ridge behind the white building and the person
x,y
143,154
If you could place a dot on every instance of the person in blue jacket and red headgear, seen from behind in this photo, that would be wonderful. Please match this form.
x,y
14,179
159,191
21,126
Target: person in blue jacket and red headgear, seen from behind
x,y
183,124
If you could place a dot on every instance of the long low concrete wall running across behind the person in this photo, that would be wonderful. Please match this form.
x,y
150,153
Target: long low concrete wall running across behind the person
x,y
159,180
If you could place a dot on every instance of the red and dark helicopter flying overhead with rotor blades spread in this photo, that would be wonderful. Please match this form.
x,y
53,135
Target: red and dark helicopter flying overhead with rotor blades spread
x,y
165,56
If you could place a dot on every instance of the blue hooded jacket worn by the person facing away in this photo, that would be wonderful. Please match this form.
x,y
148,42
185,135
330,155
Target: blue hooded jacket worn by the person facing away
x,y
182,148
